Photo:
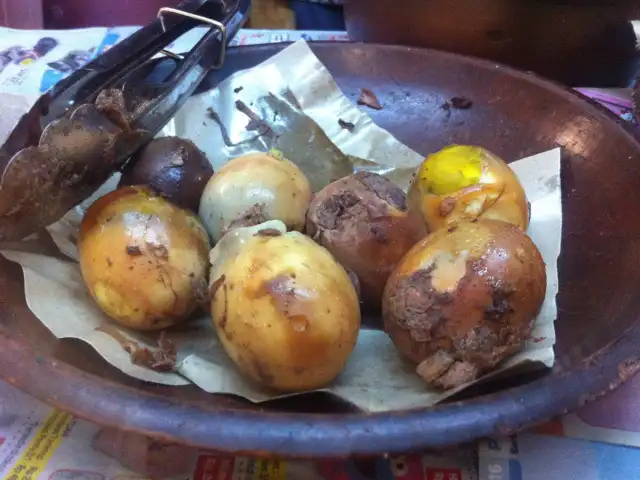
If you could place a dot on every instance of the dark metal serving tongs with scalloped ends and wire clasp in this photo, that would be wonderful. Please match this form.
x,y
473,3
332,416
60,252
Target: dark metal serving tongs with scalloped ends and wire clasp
x,y
88,125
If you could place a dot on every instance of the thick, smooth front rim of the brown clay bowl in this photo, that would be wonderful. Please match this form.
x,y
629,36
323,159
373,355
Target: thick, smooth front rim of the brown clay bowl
x,y
298,435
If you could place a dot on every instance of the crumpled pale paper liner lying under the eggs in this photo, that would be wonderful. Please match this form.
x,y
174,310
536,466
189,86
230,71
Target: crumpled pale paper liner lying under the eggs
x,y
299,103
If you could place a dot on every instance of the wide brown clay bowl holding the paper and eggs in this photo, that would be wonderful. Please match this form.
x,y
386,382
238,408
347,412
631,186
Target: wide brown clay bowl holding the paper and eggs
x,y
514,114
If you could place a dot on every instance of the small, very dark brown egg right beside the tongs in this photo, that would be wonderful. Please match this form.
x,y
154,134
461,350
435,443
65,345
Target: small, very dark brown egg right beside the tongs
x,y
174,167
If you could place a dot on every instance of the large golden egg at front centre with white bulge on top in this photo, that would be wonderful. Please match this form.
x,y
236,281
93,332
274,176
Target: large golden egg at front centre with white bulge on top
x,y
285,311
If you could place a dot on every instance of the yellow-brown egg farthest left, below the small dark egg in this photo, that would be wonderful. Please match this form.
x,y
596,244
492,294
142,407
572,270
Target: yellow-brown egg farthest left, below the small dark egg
x,y
143,259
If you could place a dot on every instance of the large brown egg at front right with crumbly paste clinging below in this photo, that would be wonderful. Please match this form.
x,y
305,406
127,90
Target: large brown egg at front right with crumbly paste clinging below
x,y
464,299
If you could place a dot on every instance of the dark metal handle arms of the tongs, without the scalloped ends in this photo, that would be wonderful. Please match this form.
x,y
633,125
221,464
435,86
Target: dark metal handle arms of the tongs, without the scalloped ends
x,y
129,61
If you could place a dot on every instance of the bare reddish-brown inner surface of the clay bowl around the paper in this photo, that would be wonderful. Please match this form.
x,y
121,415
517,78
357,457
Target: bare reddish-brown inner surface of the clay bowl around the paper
x,y
514,114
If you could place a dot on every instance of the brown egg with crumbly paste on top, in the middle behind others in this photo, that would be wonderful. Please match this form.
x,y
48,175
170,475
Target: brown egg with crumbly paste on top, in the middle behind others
x,y
363,220
